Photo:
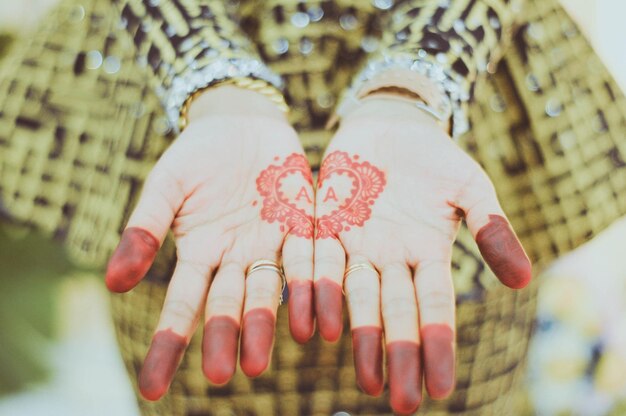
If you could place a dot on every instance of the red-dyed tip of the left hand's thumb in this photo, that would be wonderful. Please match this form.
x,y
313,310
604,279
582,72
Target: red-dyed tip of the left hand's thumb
x,y
131,260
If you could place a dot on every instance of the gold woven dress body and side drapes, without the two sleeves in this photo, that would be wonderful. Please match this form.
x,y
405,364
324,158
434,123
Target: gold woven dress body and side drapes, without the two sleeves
x,y
76,143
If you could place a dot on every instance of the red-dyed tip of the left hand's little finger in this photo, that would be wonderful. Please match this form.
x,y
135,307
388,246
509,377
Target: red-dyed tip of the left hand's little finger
x,y
301,310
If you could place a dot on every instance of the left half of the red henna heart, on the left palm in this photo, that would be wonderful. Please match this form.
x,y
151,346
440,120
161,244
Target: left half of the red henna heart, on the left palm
x,y
276,204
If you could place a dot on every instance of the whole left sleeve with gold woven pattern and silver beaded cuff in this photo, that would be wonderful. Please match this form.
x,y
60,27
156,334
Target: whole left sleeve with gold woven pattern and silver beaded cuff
x,y
188,45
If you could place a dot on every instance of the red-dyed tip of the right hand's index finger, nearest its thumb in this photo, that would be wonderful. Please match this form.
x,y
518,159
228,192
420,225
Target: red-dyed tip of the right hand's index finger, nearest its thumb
x,y
438,348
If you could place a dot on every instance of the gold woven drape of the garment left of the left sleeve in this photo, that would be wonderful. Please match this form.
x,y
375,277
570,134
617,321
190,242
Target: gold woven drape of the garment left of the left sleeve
x,y
72,156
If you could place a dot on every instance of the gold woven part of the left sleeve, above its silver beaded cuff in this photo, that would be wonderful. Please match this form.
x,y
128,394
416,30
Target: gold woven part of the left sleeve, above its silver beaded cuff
x,y
170,34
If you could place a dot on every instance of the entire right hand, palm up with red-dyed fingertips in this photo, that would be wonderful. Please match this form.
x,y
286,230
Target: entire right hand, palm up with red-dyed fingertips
x,y
392,191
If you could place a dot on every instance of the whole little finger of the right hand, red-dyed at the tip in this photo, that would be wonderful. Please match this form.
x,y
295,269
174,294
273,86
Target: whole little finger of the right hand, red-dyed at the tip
x,y
328,270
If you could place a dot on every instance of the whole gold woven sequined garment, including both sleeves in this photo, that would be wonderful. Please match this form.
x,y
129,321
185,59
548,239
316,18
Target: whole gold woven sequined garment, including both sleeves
x,y
82,122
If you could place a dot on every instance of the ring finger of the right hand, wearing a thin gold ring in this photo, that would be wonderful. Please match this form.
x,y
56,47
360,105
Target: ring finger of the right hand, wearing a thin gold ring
x,y
363,299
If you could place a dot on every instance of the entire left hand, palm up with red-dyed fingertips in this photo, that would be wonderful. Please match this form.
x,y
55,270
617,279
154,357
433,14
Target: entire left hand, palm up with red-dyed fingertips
x,y
234,187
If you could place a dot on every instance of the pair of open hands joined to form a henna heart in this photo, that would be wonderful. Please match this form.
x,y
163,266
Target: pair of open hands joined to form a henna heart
x,y
392,190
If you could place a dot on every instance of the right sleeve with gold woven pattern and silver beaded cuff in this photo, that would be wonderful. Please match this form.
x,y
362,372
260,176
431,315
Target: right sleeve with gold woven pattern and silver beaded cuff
x,y
449,41
